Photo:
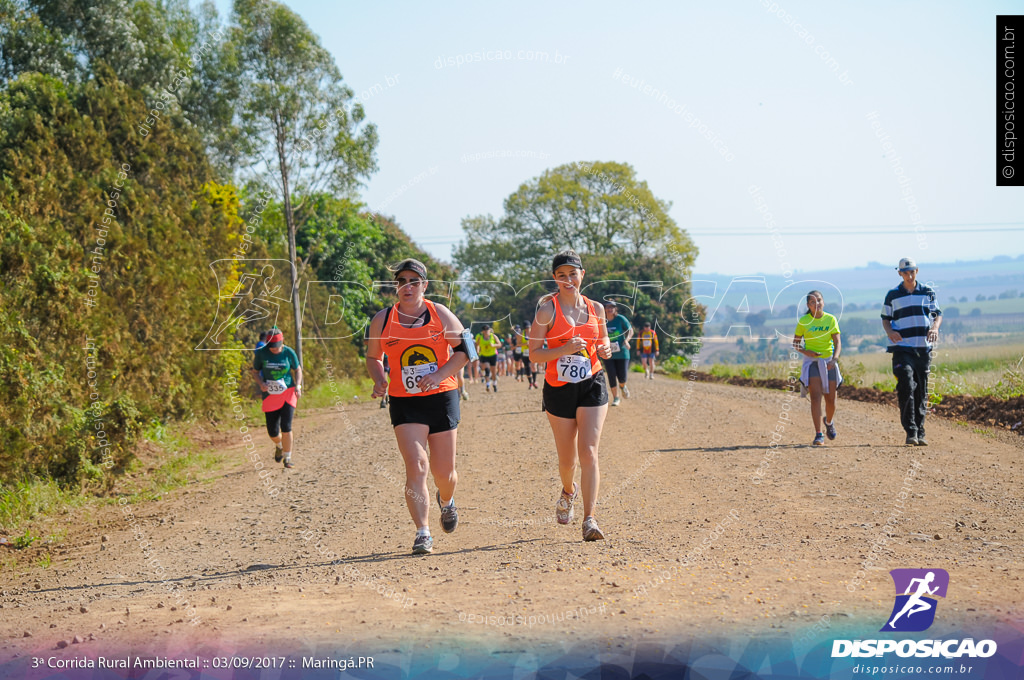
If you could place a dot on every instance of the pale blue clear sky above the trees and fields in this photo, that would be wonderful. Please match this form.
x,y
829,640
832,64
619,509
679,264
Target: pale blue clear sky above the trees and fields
x,y
799,145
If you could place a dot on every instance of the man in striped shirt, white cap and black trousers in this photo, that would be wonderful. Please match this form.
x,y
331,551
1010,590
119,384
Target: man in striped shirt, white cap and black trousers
x,y
912,318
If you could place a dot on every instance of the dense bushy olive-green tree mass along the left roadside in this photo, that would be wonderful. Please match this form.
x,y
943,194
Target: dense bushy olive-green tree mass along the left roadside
x,y
104,251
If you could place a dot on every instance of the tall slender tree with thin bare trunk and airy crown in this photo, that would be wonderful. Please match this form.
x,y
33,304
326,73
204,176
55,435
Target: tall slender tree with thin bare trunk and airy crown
x,y
304,132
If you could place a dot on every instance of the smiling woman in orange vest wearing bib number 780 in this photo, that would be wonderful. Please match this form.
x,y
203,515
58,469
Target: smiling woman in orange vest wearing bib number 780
x,y
576,396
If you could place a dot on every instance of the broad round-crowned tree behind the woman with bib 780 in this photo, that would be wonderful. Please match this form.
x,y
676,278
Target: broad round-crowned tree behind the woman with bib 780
x,y
613,220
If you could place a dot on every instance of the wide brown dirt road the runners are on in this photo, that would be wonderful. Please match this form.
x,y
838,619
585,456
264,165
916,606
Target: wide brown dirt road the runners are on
x,y
705,534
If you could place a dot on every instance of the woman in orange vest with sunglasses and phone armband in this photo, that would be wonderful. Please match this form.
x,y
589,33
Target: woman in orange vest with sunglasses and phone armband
x,y
428,347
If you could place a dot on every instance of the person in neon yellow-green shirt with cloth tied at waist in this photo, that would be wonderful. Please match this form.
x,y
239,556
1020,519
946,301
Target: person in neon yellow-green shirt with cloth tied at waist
x,y
818,338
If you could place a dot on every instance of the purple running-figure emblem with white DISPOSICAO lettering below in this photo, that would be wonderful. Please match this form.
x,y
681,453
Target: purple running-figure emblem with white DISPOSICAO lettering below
x,y
914,612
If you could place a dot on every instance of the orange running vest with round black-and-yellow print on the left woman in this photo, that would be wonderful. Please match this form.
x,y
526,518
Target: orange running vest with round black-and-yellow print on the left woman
x,y
416,352
